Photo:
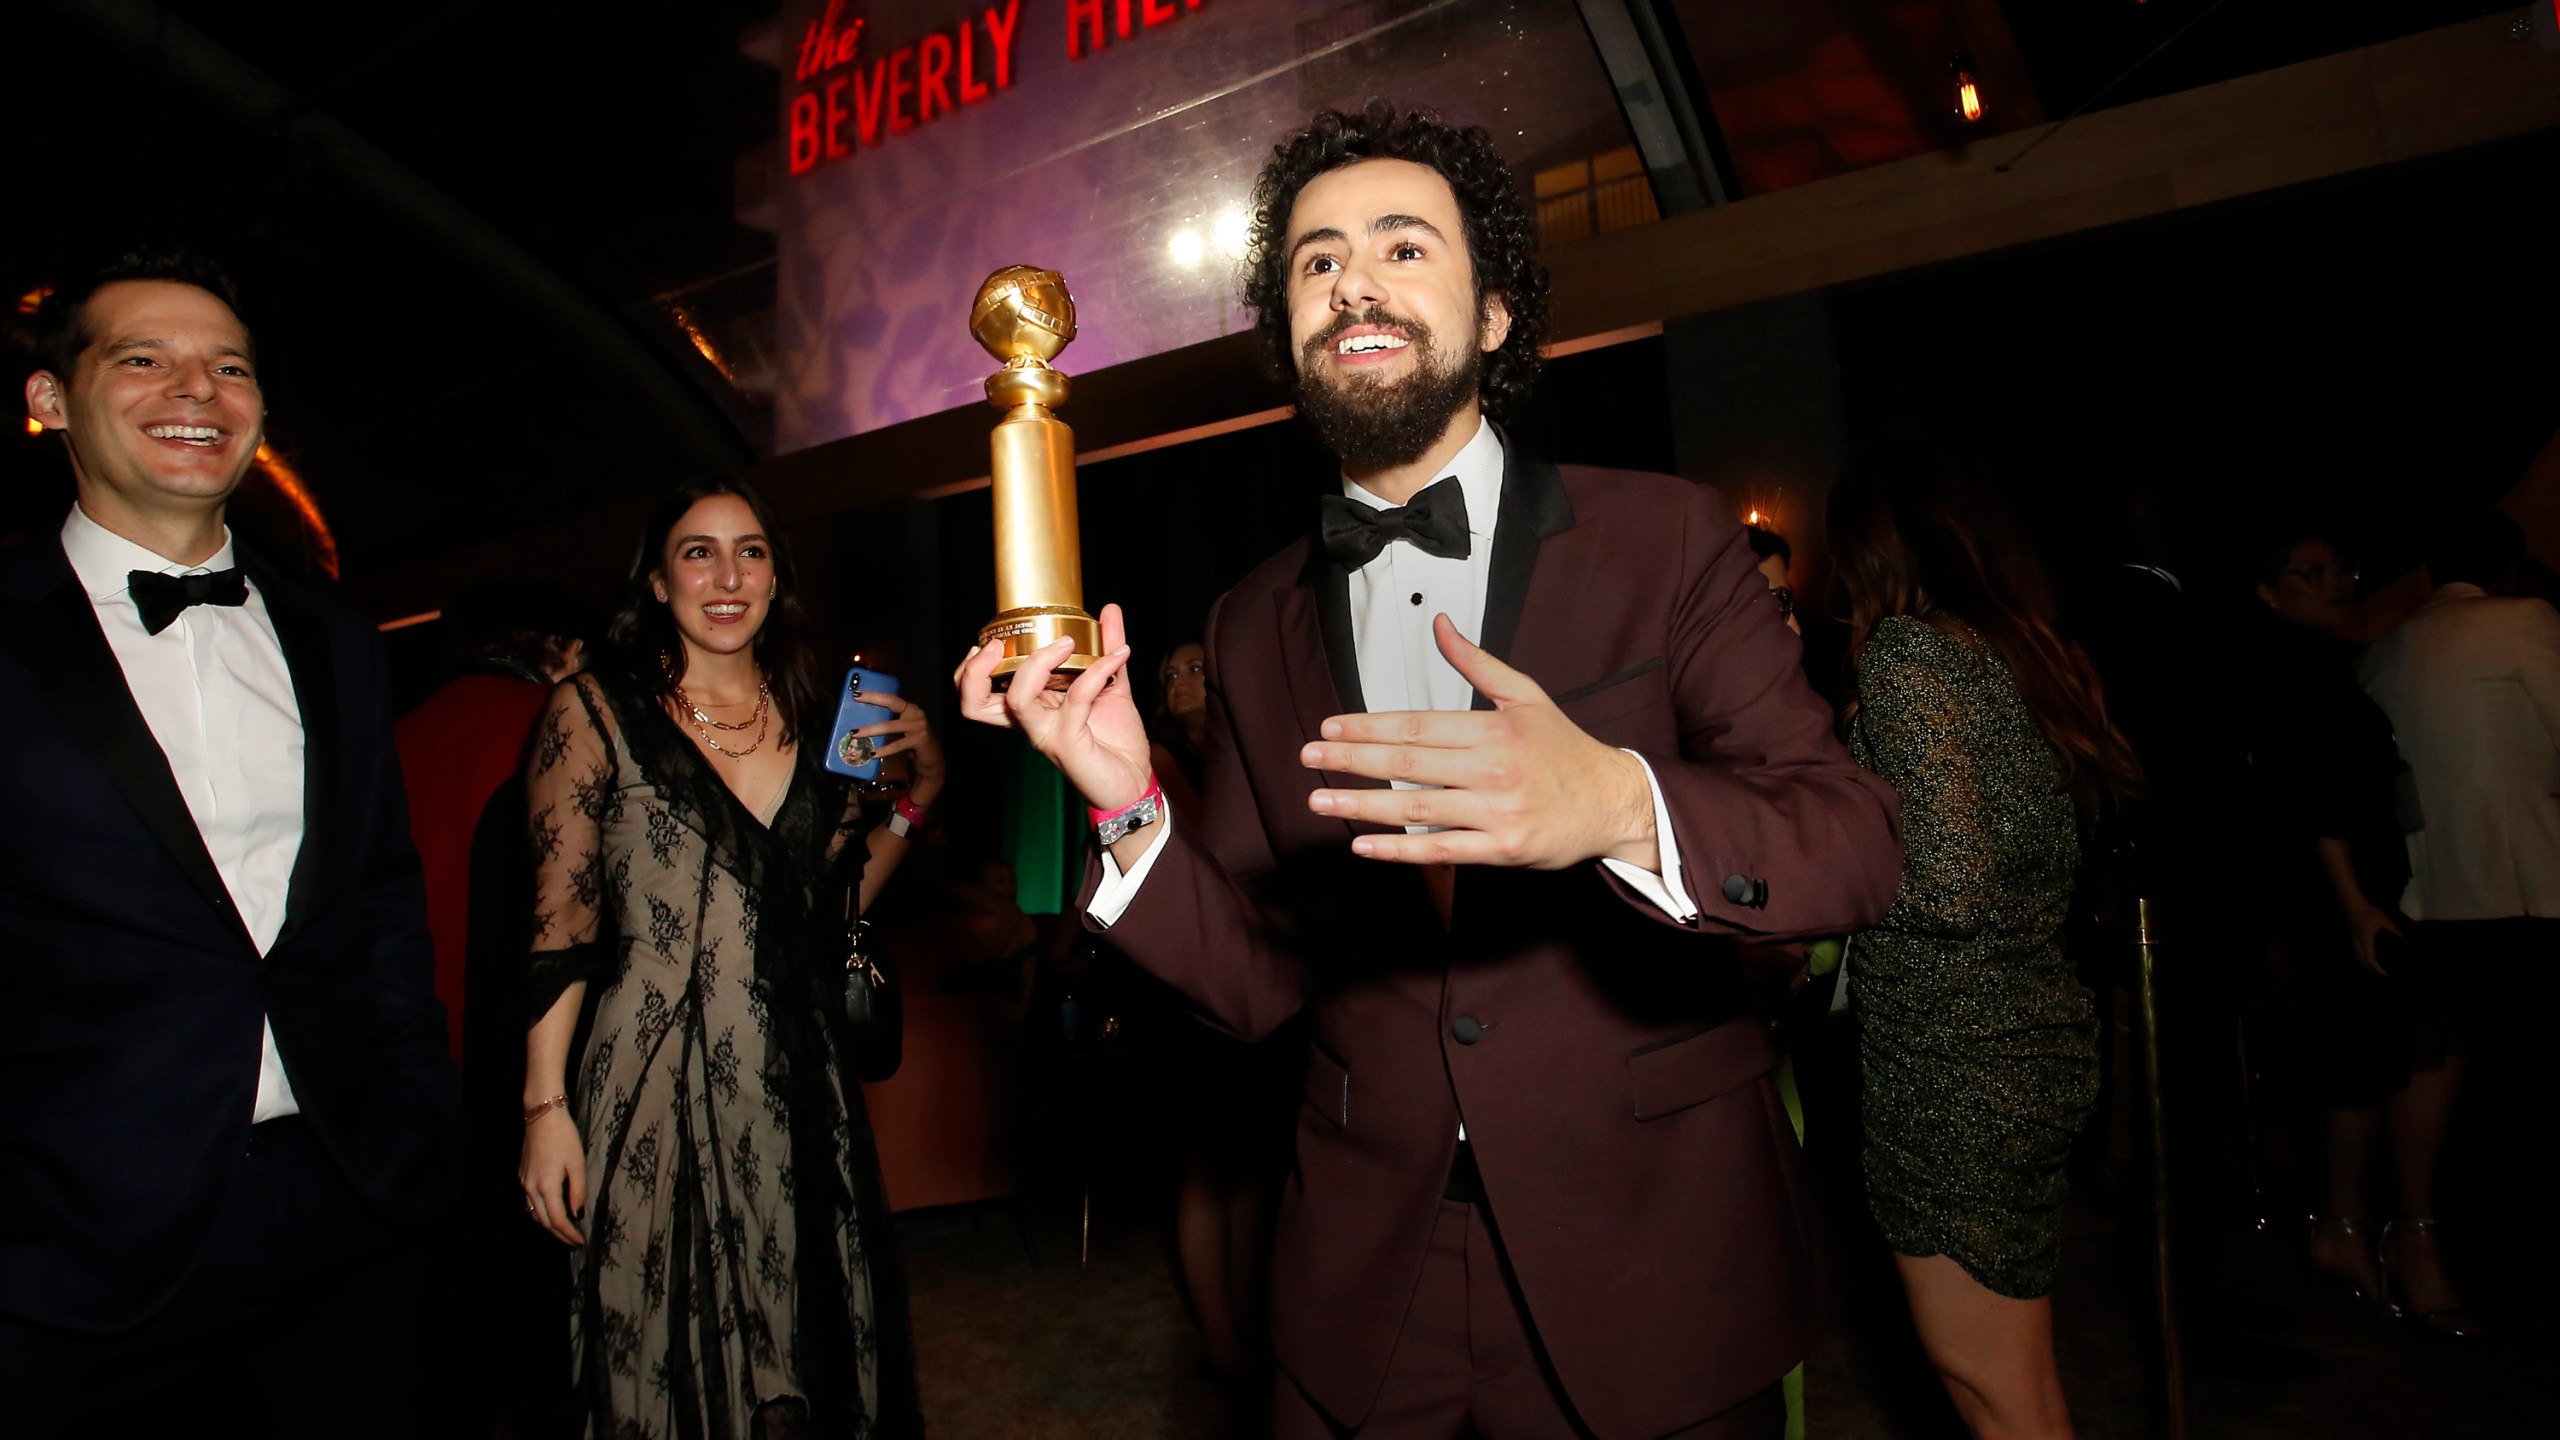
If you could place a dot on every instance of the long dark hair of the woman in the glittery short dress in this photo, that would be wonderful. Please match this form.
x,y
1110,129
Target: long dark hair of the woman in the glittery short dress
x,y
1932,539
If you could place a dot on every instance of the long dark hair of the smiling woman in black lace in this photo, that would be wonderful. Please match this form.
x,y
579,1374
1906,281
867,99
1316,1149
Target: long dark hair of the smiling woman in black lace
x,y
644,634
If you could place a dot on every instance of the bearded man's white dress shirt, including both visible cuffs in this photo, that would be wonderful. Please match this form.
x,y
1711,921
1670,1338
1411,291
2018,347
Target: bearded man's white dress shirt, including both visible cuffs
x,y
1394,601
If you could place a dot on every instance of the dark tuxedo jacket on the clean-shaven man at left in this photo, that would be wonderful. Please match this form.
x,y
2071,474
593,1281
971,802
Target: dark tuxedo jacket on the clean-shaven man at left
x,y
132,990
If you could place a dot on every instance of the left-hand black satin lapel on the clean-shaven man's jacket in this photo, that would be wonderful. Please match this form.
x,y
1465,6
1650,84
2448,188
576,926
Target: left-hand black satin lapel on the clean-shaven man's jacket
x,y
76,670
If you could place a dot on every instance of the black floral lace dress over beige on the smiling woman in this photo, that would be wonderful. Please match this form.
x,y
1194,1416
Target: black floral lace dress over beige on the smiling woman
x,y
733,1203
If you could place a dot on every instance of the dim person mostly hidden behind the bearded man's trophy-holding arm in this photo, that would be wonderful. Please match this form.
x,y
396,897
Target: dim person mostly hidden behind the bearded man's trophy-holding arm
x,y
1230,1100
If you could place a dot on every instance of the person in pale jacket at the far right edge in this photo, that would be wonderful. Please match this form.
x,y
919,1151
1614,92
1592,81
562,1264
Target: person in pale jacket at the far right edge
x,y
2472,685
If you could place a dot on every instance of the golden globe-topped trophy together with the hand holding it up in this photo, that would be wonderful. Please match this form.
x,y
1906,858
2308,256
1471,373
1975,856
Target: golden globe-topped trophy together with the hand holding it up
x,y
1043,665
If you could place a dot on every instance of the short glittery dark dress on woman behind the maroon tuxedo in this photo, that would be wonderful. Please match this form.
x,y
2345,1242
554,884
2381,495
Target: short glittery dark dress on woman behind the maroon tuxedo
x,y
1978,1042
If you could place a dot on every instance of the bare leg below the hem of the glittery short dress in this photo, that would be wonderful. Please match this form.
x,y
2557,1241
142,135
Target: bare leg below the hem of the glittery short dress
x,y
1993,1354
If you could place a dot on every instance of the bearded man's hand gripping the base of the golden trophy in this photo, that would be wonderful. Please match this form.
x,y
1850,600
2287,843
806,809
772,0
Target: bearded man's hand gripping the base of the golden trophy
x,y
1092,732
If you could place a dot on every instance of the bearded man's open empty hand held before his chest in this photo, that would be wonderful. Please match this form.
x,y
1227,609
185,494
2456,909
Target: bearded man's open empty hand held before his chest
x,y
1522,785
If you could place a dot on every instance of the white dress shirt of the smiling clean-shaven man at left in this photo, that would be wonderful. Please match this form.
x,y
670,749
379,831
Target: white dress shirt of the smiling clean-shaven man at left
x,y
221,706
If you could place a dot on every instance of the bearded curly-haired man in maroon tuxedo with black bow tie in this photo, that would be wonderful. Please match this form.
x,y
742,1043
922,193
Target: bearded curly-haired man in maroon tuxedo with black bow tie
x,y
1545,1185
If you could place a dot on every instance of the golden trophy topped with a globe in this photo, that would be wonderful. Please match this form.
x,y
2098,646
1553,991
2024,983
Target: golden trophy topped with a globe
x,y
1025,316
